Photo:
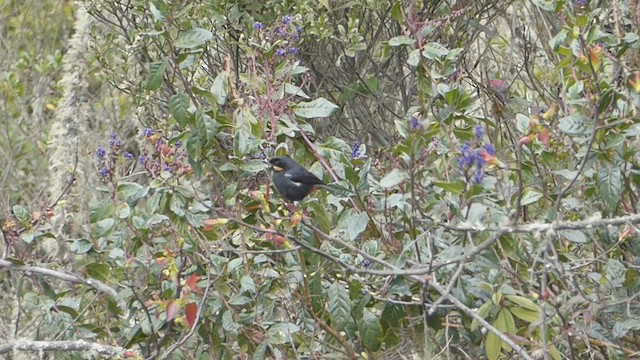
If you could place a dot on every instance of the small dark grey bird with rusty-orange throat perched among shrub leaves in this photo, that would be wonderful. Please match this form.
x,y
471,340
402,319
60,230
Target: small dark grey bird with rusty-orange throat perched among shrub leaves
x,y
292,181
